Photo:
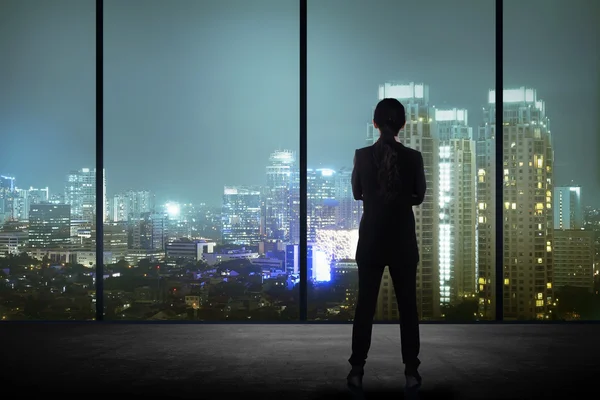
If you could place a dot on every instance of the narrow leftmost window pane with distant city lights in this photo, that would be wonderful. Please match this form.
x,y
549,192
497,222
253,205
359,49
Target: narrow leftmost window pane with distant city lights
x,y
47,159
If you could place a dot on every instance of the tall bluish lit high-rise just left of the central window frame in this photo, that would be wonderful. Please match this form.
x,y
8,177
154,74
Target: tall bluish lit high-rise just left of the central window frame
x,y
278,201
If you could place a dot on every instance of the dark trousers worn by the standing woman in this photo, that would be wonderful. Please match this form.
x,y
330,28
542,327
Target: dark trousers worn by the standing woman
x,y
404,279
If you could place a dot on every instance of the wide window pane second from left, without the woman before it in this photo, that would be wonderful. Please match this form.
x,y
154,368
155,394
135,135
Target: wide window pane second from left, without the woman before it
x,y
199,98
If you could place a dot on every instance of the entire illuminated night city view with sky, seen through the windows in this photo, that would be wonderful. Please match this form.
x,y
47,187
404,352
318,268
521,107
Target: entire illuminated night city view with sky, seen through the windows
x,y
210,123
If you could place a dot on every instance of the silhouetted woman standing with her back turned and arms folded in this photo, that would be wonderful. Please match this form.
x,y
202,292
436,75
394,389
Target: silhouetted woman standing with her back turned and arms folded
x,y
389,178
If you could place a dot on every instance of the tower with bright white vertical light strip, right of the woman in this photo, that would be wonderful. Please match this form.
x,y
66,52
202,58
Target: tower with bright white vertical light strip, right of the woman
x,y
456,193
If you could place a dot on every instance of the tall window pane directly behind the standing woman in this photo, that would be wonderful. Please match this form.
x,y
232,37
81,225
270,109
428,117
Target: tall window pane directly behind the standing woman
x,y
438,59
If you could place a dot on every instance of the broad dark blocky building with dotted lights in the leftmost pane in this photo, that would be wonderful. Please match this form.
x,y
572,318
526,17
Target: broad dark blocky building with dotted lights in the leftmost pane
x,y
50,226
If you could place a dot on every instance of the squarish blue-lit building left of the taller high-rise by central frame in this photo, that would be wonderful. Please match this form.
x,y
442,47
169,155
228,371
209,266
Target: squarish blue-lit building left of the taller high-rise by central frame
x,y
240,218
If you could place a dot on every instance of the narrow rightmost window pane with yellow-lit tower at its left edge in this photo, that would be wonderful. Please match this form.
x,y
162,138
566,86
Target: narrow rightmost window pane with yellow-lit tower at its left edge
x,y
551,170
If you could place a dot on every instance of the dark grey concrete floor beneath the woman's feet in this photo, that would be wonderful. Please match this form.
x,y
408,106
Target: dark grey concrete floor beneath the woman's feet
x,y
295,361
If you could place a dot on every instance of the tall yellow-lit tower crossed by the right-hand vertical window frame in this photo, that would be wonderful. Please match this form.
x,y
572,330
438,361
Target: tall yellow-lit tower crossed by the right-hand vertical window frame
x,y
528,223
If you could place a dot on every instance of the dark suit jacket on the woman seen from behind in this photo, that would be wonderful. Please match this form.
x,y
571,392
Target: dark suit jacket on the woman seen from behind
x,y
387,229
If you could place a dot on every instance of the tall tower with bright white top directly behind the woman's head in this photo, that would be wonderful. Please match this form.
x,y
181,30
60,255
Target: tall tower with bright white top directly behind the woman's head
x,y
417,134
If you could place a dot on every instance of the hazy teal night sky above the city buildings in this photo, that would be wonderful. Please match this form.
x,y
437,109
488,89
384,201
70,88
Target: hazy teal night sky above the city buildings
x,y
198,93
